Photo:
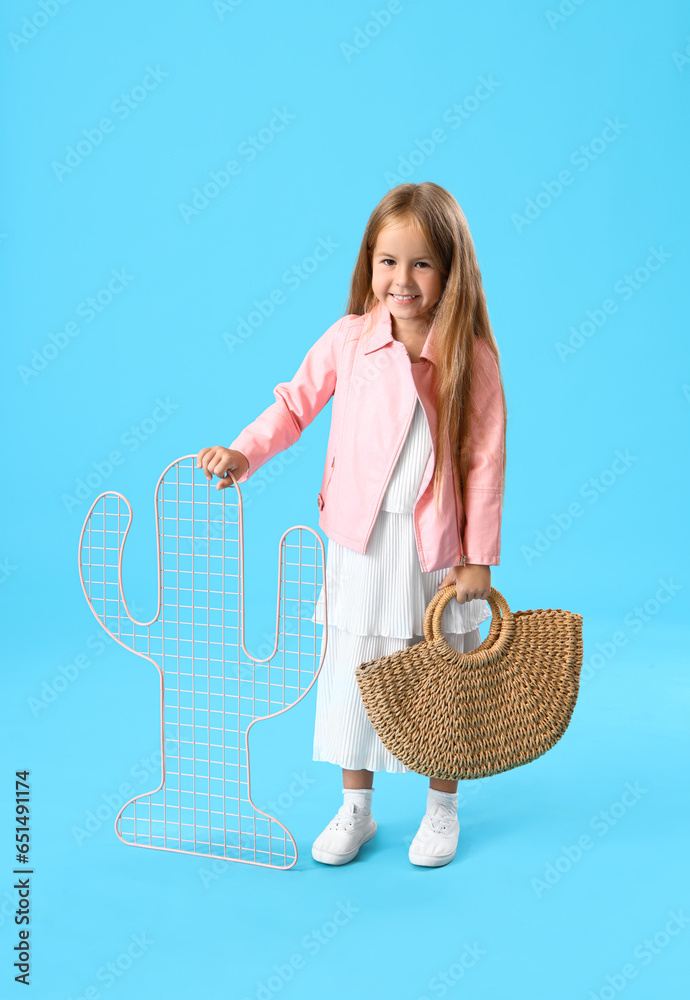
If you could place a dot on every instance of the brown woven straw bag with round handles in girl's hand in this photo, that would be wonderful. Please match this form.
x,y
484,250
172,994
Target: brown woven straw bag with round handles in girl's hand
x,y
468,715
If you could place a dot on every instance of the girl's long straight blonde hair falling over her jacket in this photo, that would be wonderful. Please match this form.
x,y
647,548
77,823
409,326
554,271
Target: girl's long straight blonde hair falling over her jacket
x,y
459,316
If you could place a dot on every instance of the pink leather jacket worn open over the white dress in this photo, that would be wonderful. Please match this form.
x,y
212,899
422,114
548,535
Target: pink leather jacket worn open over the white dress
x,y
374,388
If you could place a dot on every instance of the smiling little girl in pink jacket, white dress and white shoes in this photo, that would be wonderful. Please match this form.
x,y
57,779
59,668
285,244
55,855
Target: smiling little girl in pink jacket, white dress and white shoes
x,y
414,502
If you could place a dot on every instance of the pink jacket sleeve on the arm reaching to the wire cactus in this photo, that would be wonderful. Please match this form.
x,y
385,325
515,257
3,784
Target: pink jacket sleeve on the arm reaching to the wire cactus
x,y
297,403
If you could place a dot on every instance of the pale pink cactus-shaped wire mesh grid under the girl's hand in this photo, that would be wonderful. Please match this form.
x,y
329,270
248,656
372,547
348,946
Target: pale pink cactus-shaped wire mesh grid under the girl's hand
x,y
212,690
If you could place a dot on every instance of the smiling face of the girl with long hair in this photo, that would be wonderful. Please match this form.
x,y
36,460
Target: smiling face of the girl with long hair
x,y
404,277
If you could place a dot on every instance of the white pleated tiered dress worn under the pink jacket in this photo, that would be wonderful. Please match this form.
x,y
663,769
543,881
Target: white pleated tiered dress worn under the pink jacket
x,y
376,605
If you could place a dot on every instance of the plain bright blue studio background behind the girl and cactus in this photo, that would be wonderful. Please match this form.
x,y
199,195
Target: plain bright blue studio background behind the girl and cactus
x,y
357,116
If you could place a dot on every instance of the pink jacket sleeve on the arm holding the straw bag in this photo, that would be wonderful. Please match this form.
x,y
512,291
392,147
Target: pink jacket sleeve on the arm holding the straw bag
x,y
482,497
